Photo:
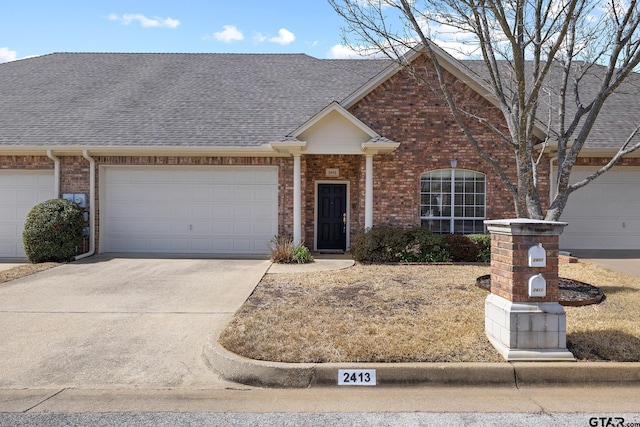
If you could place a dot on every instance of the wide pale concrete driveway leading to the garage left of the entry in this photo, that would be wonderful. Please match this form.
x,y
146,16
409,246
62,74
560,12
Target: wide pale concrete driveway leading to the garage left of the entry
x,y
119,322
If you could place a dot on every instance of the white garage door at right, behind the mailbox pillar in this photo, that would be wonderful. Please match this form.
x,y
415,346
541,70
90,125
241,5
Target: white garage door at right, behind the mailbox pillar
x,y
606,213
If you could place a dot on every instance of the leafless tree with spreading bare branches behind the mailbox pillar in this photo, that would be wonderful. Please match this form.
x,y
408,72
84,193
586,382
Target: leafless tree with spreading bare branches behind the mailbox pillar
x,y
538,58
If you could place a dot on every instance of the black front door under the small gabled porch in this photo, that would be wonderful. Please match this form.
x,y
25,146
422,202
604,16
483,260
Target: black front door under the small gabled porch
x,y
332,216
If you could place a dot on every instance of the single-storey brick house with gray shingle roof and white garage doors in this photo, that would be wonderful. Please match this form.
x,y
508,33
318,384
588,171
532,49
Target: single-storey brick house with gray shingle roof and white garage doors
x,y
217,153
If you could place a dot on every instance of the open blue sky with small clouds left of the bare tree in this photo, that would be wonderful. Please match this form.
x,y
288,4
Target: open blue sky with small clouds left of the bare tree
x,y
38,27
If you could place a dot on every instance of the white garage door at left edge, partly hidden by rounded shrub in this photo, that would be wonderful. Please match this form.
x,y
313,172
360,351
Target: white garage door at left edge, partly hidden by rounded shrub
x,y
19,192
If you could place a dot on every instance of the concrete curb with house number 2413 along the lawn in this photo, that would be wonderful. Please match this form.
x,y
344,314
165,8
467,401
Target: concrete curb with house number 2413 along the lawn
x,y
233,367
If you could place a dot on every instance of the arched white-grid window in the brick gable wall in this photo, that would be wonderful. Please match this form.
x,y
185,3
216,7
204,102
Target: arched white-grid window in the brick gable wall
x,y
453,201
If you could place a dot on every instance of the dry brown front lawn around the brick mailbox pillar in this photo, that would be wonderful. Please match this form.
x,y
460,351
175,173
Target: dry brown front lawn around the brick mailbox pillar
x,y
413,313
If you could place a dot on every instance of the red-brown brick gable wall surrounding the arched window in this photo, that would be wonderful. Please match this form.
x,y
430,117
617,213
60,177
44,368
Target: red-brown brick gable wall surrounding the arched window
x,y
413,115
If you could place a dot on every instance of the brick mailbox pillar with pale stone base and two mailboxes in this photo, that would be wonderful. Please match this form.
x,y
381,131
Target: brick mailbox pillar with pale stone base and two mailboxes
x,y
523,318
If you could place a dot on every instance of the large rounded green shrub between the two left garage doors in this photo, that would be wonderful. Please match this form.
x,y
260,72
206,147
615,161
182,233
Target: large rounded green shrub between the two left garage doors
x,y
53,231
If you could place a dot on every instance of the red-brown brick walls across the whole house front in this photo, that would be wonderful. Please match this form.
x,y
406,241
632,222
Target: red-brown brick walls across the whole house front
x,y
400,110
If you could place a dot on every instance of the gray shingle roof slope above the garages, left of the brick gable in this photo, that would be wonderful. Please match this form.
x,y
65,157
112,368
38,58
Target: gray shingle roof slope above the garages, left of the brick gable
x,y
188,100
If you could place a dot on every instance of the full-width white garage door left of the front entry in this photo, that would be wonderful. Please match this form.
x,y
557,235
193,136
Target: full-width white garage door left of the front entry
x,y
198,210
